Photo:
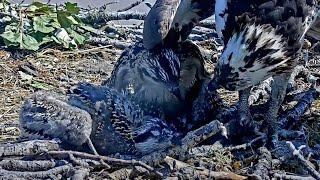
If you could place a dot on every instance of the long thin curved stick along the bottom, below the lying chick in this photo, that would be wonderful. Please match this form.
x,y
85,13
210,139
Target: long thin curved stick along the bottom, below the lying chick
x,y
113,161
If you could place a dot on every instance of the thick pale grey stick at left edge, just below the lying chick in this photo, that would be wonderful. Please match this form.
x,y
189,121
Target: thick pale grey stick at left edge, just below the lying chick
x,y
28,148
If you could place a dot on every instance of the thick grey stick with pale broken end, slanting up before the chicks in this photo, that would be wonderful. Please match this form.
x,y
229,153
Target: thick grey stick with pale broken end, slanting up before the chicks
x,y
192,139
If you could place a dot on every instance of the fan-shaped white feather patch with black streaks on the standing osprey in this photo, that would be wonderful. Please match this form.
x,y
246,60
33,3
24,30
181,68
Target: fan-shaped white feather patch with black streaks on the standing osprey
x,y
253,53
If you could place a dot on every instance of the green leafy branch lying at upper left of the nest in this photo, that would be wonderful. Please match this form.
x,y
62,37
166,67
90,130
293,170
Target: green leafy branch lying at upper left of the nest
x,y
29,27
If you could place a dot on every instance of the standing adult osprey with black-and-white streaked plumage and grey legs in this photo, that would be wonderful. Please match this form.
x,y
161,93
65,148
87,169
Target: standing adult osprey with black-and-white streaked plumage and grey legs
x,y
262,39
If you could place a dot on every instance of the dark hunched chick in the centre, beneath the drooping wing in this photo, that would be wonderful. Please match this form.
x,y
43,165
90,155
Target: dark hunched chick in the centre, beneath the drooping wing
x,y
163,82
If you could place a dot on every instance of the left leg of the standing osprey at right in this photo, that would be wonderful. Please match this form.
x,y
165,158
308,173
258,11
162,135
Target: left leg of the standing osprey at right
x,y
243,106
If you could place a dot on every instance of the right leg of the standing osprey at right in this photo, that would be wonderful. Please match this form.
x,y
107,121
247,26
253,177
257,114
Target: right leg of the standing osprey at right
x,y
278,93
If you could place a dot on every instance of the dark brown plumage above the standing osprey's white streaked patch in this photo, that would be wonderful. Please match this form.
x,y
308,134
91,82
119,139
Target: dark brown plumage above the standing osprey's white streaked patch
x,y
291,18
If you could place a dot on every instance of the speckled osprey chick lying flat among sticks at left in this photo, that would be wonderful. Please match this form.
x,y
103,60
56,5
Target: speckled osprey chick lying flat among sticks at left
x,y
99,116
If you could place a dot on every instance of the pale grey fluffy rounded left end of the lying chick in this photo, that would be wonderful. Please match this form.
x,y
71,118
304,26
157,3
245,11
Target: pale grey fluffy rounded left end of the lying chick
x,y
47,115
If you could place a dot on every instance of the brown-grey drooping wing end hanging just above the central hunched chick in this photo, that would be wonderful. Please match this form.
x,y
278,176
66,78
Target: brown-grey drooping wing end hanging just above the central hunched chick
x,y
171,21
